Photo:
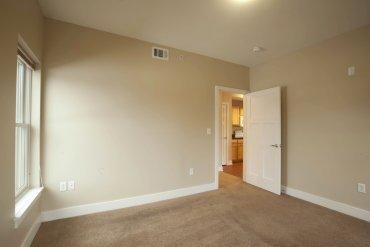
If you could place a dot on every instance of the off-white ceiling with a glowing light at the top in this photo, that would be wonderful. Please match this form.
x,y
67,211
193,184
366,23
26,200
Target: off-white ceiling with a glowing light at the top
x,y
224,29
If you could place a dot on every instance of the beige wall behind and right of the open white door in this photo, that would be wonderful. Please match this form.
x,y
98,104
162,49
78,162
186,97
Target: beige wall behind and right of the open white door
x,y
326,116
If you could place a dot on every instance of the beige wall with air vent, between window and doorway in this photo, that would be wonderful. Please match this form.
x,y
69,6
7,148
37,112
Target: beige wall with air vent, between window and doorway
x,y
122,124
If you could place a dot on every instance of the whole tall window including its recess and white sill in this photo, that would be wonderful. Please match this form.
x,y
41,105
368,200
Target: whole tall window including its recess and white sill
x,y
28,182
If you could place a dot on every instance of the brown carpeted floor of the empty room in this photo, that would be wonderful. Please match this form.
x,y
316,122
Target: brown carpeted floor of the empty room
x,y
235,215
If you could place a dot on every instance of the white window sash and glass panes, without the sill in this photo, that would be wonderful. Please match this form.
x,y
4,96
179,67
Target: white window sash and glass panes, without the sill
x,y
22,125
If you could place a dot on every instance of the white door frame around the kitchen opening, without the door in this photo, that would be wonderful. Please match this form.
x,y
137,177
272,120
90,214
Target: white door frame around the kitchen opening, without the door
x,y
217,124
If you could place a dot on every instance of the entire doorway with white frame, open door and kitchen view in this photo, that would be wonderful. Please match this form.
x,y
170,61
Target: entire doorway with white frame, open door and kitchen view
x,y
257,114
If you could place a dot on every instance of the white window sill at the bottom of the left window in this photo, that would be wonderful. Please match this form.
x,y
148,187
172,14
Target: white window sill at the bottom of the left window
x,y
23,206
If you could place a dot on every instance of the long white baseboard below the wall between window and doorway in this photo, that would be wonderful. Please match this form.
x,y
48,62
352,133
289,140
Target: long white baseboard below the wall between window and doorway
x,y
123,203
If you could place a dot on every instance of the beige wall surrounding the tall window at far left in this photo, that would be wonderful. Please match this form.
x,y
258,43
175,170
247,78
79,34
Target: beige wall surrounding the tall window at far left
x,y
16,17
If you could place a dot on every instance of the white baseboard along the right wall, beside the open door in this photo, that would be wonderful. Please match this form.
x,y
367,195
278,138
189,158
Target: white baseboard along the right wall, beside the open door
x,y
328,203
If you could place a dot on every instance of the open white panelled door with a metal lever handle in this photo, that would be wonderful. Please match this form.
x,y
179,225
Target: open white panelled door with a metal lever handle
x,y
262,142
